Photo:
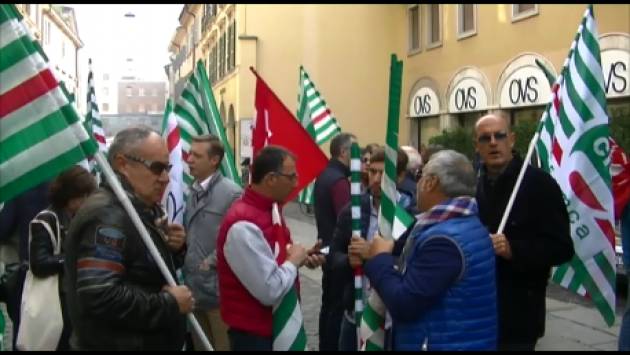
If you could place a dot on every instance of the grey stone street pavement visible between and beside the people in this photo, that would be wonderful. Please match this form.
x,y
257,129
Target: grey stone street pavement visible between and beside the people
x,y
572,322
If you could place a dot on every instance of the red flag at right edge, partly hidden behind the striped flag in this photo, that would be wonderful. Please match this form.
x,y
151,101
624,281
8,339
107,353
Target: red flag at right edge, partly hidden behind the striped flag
x,y
620,171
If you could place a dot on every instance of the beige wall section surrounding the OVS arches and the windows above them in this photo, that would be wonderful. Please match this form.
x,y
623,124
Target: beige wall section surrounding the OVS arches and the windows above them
x,y
499,41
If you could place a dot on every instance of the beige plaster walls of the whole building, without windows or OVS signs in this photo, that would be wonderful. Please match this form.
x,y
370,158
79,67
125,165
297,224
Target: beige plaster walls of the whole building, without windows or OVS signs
x,y
346,51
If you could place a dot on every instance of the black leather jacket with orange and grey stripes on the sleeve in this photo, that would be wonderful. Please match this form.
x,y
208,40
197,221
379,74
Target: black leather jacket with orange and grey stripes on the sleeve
x,y
114,287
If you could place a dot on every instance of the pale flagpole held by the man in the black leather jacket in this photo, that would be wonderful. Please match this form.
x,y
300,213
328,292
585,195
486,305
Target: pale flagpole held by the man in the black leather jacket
x,y
133,214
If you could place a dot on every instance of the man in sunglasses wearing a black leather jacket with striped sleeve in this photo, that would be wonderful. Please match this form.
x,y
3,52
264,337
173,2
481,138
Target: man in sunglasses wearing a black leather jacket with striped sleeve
x,y
117,297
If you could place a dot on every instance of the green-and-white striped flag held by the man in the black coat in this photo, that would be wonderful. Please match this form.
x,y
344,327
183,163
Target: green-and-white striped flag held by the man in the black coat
x,y
573,147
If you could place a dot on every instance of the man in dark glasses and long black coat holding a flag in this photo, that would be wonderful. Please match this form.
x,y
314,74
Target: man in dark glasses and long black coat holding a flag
x,y
536,236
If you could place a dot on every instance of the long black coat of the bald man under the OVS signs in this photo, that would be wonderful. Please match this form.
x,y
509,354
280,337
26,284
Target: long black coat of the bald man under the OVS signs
x,y
539,235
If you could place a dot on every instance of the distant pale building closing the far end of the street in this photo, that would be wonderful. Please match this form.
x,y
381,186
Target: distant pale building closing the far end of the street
x,y
141,97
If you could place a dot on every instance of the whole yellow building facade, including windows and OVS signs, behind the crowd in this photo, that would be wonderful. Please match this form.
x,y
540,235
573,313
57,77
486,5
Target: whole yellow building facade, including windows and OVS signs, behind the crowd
x,y
459,60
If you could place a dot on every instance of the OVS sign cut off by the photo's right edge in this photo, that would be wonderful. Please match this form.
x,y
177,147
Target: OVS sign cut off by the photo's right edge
x,y
616,68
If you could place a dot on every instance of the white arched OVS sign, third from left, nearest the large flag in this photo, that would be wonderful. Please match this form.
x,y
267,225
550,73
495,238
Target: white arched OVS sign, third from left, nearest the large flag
x,y
527,86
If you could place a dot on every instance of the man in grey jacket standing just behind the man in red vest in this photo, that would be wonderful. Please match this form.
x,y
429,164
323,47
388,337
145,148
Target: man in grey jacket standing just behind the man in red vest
x,y
210,197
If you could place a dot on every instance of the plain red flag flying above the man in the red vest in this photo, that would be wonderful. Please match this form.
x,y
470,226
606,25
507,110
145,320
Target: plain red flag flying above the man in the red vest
x,y
275,124
